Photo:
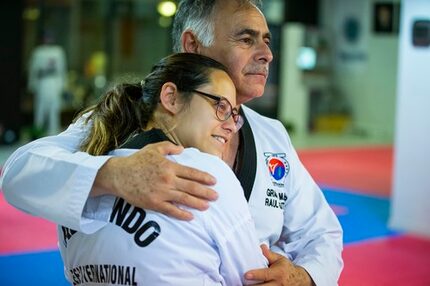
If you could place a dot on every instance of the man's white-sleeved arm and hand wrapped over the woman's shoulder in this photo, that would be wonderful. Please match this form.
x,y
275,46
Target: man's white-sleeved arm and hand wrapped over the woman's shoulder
x,y
51,179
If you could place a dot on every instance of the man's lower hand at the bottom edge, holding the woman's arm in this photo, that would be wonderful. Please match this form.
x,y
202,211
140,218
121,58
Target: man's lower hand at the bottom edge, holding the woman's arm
x,y
281,271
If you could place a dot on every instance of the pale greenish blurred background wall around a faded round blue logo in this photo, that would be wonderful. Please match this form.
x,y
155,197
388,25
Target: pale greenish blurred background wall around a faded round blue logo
x,y
368,81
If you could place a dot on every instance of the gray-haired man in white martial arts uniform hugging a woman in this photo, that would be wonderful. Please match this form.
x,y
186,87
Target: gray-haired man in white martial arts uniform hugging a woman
x,y
289,210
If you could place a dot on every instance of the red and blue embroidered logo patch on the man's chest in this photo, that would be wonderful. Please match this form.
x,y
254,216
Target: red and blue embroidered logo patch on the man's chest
x,y
278,167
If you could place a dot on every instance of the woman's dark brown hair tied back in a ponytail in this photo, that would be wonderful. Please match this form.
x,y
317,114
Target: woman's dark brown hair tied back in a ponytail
x,y
128,107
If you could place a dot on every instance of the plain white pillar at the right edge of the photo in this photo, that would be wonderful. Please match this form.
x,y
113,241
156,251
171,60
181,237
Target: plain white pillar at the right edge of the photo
x,y
411,194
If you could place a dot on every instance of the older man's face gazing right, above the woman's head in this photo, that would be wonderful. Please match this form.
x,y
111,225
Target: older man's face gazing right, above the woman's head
x,y
242,43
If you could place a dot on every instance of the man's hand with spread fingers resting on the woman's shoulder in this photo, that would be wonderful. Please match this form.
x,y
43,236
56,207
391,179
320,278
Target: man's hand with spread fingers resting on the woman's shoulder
x,y
148,180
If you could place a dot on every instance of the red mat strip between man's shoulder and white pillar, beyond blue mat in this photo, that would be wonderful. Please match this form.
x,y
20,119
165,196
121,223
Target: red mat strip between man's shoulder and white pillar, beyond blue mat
x,y
363,170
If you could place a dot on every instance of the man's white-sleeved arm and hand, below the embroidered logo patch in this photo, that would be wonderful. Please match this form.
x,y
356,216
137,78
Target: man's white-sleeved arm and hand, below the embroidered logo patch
x,y
311,239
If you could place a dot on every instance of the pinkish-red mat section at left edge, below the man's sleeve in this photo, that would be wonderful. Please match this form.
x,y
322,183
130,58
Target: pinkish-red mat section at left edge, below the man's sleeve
x,y
20,232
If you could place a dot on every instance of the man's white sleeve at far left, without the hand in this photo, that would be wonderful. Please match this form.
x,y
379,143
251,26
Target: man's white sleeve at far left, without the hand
x,y
49,178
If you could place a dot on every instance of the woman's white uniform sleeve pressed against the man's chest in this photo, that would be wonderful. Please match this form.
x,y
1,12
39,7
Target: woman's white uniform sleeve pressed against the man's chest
x,y
229,222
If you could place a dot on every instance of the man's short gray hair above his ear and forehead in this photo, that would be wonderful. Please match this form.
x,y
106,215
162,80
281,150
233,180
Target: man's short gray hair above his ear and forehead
x,y
197,16
